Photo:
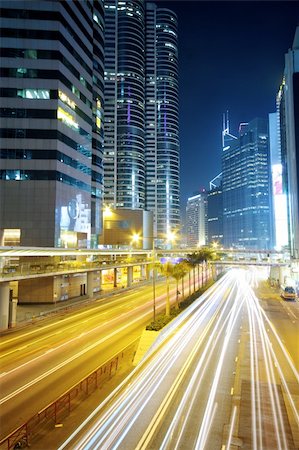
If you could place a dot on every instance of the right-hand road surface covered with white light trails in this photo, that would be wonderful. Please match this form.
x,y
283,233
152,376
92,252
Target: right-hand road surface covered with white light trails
x,y
224,374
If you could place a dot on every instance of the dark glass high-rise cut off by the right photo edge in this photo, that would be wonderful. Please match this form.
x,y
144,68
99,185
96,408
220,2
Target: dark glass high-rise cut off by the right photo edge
x,y
288,108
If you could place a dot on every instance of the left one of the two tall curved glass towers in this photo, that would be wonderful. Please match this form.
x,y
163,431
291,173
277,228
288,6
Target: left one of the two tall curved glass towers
x,y
124,104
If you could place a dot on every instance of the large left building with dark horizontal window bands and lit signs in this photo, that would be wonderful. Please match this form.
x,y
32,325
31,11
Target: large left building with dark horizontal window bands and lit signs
x,y
51,177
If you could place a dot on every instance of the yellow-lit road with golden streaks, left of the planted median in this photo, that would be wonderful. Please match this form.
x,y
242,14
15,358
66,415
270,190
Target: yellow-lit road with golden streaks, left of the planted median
x,y
40,363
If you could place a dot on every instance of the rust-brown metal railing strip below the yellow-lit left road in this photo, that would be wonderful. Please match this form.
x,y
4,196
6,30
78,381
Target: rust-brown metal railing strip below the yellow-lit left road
x,y
61,408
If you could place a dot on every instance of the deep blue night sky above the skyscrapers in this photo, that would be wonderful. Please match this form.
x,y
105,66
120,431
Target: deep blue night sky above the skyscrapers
x,y
231,57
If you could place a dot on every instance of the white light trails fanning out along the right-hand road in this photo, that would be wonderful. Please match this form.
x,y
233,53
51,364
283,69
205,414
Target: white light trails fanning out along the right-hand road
x,y
200,336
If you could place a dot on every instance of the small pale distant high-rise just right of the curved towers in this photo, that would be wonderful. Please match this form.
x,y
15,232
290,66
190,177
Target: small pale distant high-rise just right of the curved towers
x,y
196,220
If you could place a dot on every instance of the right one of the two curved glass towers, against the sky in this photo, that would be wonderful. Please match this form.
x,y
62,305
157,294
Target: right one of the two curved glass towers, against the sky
x,y
162,120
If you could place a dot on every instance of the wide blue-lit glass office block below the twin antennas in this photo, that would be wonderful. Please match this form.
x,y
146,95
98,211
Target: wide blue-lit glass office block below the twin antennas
x,y
247,187
